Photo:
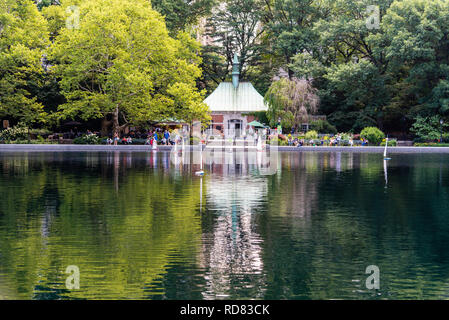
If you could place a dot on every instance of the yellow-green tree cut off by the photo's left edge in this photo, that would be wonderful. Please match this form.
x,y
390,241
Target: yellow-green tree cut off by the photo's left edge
x,y
23,38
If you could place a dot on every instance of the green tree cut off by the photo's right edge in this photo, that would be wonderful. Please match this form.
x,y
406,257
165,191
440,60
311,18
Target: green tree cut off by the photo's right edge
x,y
418,35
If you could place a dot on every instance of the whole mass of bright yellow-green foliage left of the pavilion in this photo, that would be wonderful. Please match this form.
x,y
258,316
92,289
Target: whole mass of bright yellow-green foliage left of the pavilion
x,y
98,59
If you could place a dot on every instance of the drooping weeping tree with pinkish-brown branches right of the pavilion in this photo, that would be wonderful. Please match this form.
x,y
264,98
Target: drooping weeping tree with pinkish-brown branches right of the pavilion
x,y
291,100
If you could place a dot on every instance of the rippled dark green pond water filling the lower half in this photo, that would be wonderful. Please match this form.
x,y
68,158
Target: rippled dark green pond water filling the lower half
x,y
139,226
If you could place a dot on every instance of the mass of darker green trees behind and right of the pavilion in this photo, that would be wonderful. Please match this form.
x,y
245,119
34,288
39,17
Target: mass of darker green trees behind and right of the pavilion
x,y
368,70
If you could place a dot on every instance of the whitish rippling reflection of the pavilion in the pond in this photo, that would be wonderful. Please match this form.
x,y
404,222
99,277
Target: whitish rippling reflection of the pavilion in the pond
x,y
232,253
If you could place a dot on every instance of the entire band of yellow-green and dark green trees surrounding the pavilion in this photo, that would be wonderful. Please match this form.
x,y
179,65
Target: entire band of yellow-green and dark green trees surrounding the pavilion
x,y
389,70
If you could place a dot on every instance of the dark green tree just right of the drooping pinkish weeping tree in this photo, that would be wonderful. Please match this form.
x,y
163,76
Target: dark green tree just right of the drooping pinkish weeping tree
x,y
348,66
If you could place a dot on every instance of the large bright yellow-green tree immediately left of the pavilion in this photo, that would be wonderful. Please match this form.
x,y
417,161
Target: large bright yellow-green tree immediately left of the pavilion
x,y
122,62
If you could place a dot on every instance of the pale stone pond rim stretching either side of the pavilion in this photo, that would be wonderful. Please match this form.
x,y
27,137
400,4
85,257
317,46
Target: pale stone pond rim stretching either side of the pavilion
x,y
141,148
